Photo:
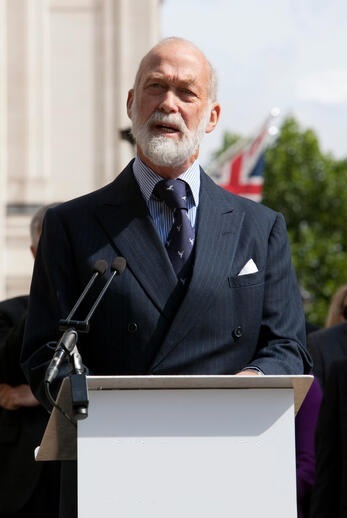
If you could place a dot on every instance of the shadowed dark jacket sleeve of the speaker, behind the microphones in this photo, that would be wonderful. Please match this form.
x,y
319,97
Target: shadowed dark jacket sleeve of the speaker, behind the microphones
x,y
51,290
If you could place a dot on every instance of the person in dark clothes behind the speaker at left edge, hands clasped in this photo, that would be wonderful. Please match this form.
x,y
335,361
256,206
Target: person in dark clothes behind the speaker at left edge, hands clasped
x,y
27,488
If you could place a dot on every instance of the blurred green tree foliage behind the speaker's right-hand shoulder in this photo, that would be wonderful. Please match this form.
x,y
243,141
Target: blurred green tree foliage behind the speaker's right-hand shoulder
x,y
310,189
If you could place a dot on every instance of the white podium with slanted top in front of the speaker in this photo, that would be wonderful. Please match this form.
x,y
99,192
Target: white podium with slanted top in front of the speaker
x,y
183,446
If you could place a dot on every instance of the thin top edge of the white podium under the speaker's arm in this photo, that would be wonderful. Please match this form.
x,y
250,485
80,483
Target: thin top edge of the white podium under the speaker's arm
x,y
198,382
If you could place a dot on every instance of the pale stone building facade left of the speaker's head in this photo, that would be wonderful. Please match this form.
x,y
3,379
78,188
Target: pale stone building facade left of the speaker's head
x,y
65,69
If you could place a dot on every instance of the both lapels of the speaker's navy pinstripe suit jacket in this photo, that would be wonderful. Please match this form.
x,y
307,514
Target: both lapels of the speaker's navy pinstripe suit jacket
x,y
125,219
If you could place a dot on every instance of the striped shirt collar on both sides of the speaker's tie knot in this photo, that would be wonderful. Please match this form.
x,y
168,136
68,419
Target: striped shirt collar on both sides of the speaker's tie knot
x,y
147,179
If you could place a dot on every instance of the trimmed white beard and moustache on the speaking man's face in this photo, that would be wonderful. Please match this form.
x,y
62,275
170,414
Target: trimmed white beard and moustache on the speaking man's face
x,y
166,151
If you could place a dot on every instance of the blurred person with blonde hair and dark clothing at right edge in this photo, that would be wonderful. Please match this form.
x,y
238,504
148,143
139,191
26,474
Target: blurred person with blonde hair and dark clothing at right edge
x,y
328,348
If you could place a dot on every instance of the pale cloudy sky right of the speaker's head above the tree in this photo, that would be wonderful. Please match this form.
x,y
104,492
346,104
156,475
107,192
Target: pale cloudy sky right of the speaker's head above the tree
x,y
289,54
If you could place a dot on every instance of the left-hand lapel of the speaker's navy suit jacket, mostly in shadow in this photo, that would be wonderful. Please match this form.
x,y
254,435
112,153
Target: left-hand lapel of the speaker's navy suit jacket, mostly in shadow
x,y
125,218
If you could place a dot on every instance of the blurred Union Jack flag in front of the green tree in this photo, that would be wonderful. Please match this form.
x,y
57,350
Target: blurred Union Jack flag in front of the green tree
x,y
240,169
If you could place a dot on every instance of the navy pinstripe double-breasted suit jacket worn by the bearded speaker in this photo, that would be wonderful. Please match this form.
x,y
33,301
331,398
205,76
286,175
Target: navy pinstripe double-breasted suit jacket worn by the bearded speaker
x,y
145,324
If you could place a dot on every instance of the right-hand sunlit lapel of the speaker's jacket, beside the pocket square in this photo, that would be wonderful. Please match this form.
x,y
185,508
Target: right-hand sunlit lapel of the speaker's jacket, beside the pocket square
x,y
217,236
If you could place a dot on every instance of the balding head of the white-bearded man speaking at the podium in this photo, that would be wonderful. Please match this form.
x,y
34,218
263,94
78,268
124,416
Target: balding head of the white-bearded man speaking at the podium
x,y
172,105
